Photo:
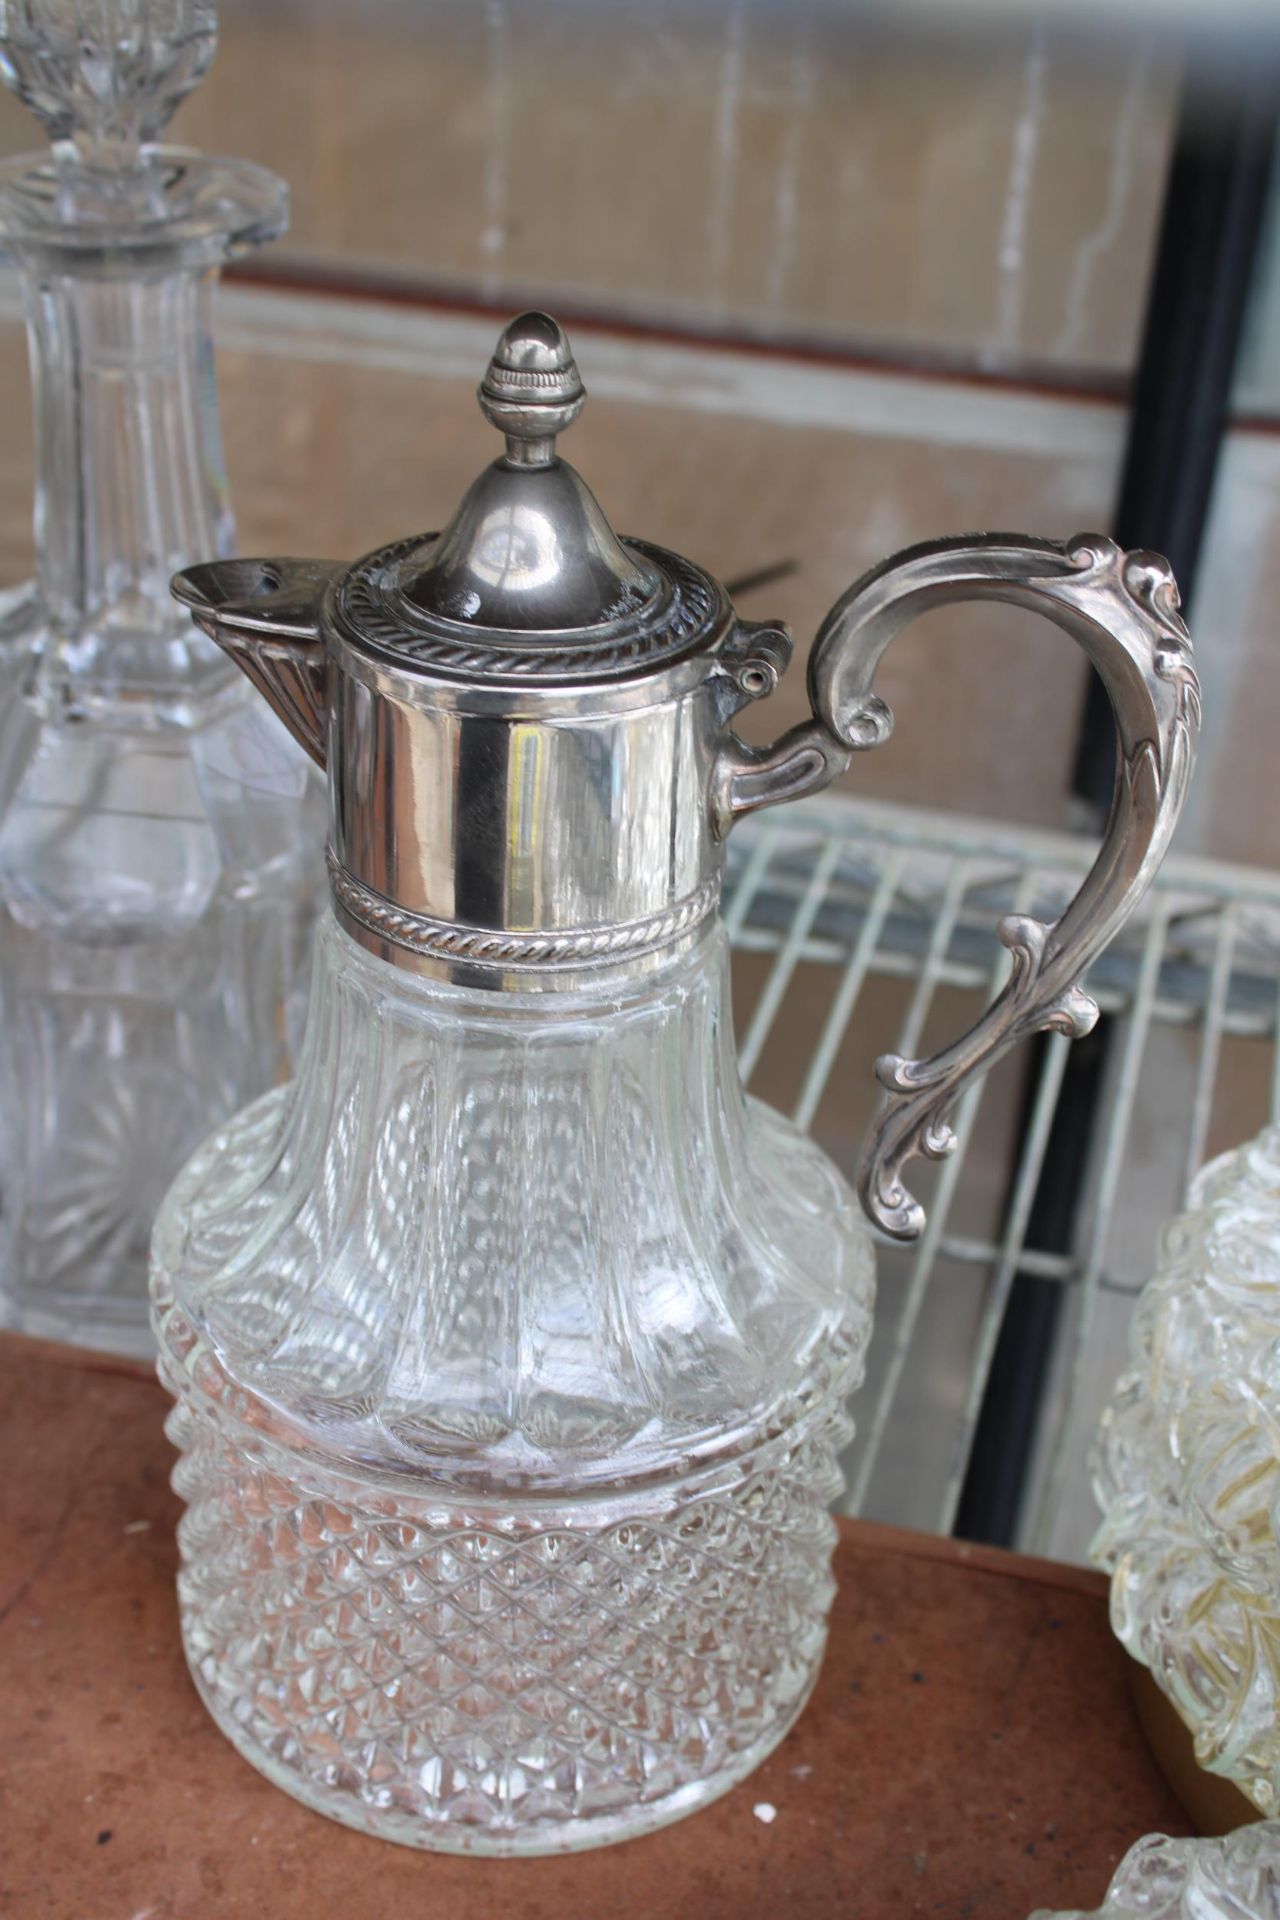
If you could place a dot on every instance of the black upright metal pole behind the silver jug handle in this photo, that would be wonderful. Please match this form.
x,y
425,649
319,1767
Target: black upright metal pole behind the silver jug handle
x,y
1212,222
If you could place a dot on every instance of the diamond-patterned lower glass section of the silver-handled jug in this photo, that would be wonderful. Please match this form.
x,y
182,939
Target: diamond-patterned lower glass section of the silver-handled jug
x,y
504,1683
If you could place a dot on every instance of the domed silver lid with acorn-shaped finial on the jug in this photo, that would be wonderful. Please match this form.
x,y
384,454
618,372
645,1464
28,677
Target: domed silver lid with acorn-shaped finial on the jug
x,y
529,581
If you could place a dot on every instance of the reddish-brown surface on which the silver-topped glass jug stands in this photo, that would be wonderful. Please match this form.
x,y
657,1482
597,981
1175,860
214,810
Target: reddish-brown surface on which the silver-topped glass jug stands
x,y
970,1750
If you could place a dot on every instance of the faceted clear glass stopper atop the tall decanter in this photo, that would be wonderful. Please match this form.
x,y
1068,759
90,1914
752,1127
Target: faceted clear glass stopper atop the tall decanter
x,y
105,76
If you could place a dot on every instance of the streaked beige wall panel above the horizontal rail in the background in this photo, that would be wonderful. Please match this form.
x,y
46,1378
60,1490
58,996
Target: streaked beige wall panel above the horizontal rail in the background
x,y
736,164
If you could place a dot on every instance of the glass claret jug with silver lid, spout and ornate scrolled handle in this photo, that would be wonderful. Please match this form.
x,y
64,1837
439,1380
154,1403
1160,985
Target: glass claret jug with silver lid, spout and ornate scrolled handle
x,y
510,1343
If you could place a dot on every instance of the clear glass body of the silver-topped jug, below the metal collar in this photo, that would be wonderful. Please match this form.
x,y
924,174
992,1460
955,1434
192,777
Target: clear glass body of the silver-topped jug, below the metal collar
x,y
511,1353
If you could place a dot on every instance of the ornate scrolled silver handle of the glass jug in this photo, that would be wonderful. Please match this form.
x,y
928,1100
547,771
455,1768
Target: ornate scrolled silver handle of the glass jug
x,y
1124,610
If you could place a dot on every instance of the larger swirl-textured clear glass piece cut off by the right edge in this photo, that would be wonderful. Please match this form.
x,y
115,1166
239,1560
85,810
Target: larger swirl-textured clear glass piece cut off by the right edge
x,y
1187,1472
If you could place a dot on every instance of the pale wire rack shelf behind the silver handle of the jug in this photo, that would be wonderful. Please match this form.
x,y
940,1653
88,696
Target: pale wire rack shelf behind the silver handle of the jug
x,y
861,928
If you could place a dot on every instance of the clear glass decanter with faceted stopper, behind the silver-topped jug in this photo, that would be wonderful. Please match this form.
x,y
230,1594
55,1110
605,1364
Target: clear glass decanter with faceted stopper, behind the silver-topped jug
x,y
156,823
